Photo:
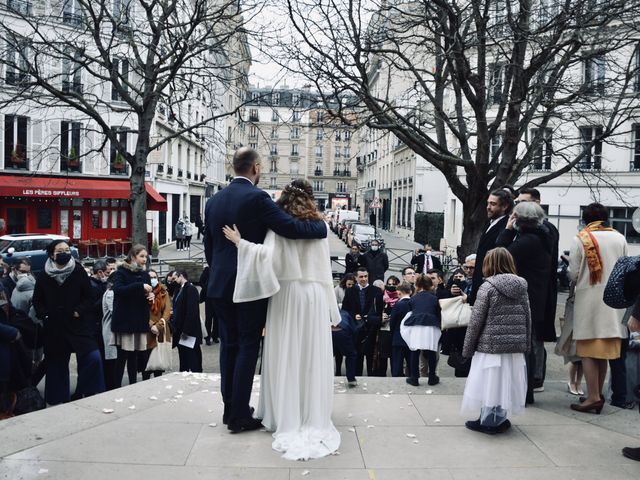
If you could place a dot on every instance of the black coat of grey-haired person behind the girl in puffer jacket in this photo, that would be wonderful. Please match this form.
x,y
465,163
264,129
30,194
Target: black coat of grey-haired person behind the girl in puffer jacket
x,y
531,250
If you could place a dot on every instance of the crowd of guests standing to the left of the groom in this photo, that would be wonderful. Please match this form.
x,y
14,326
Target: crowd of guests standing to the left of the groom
x,y
111,316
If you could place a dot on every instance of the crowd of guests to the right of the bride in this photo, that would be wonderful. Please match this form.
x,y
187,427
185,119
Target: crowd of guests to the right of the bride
x,y
510,284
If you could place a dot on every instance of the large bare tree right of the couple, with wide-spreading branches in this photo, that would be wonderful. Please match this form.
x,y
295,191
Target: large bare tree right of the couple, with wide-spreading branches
x,y
483,90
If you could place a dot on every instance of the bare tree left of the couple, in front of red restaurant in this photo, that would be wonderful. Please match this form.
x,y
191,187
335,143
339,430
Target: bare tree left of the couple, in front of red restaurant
x,y
118,63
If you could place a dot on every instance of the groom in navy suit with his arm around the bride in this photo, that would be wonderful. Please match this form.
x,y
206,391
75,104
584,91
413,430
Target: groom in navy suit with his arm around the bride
x,y
241,324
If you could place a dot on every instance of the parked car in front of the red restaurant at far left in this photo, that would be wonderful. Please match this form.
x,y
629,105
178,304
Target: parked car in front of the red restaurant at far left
x,y
29,245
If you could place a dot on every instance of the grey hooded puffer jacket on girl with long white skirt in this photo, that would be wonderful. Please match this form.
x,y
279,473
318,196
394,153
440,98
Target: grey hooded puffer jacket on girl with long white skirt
x,y
500,318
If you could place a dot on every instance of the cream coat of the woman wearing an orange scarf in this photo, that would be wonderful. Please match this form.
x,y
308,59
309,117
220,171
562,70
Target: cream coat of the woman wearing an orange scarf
x,y
592,317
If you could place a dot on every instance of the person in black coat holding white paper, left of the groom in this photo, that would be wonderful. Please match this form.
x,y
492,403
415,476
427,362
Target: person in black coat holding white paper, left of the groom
x,y
187,334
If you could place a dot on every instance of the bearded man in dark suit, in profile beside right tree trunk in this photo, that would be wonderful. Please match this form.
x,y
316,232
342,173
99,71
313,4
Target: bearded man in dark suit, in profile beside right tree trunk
x,y
499,206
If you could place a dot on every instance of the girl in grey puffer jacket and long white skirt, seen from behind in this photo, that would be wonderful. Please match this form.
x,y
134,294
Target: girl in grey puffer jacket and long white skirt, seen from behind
x,y
498,336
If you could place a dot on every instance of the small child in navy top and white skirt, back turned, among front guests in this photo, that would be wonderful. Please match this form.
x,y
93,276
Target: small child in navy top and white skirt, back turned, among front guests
x,y
421,330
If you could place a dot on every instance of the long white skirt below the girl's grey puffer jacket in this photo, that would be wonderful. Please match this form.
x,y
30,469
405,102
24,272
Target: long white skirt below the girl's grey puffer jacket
x,y
496,380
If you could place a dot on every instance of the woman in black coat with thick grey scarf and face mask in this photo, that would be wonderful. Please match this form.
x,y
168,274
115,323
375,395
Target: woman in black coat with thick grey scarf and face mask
x,y
62,299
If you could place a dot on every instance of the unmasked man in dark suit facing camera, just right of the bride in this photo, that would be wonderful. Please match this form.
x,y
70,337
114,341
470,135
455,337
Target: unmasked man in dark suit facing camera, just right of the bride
x,y
364,303
